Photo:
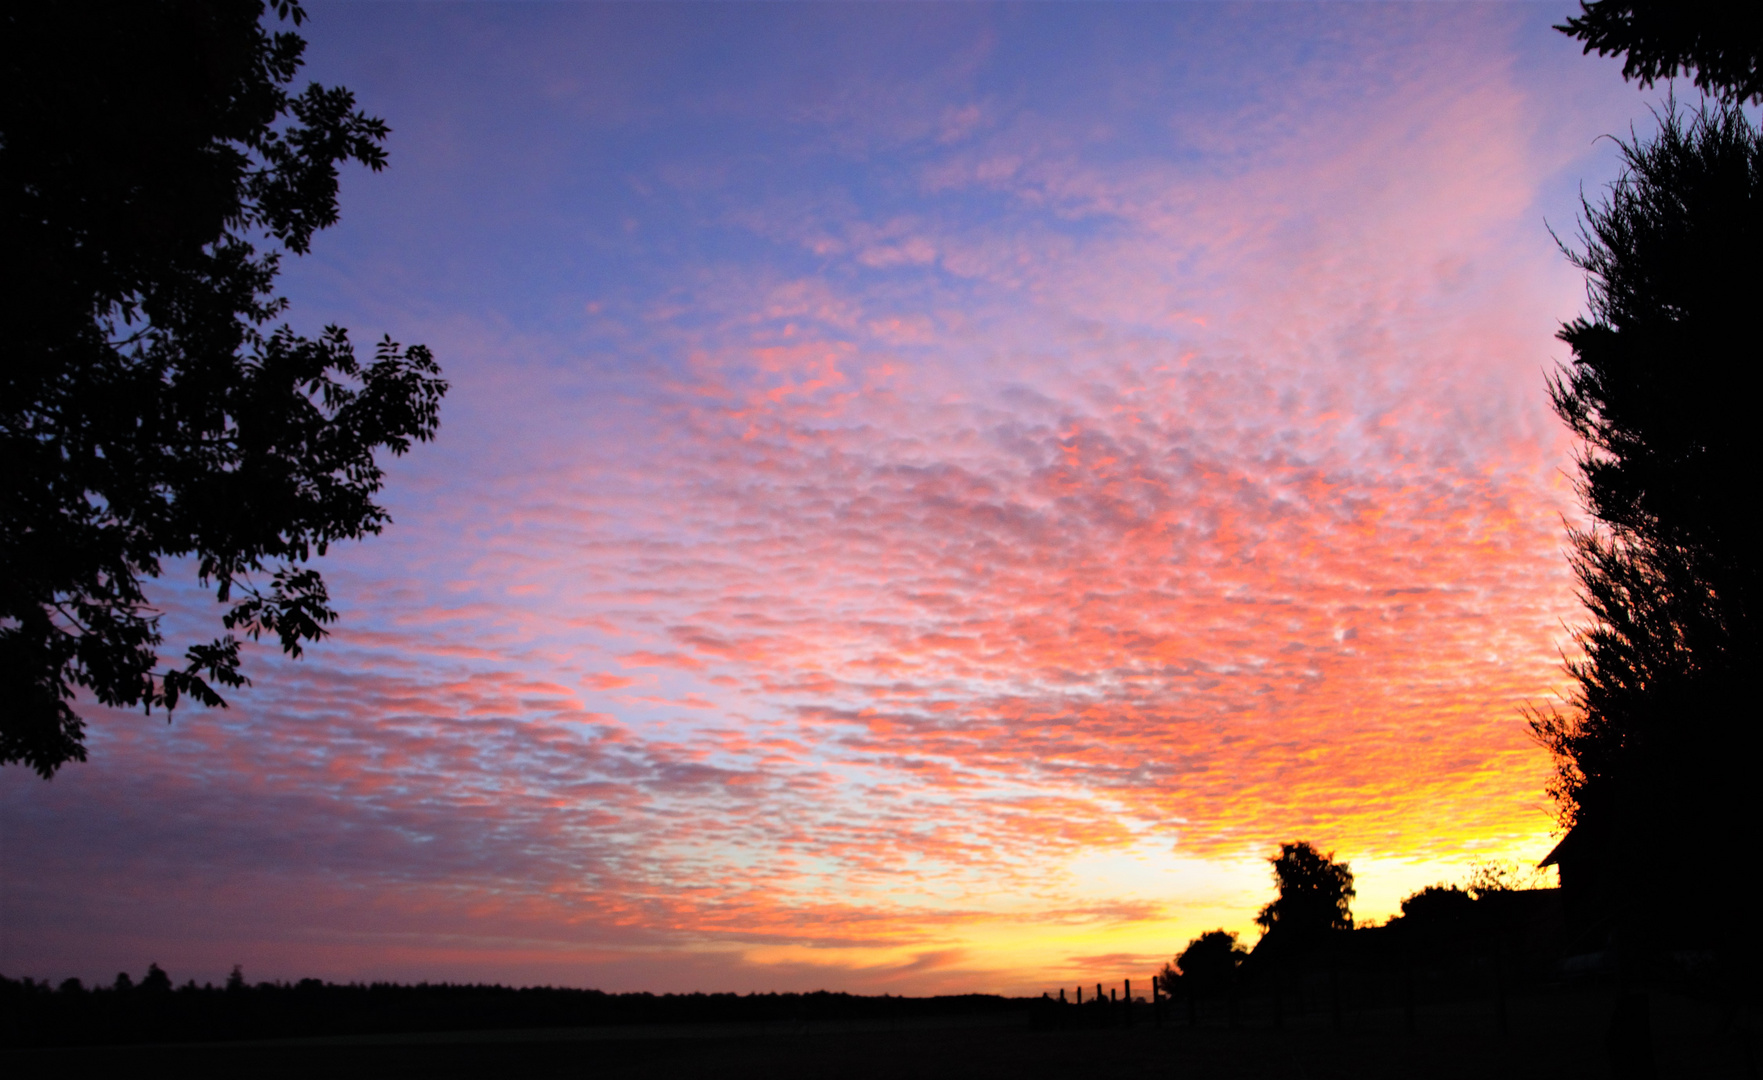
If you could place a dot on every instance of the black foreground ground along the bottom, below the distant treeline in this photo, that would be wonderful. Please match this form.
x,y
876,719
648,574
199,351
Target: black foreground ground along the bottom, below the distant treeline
x,y
1556,1037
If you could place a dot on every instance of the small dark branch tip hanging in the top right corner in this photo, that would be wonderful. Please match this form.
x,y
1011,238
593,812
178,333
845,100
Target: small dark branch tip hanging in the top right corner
x,y
1722,43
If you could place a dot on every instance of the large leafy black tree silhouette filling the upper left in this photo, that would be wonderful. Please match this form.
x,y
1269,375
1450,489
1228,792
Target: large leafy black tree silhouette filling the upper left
x,y
154,170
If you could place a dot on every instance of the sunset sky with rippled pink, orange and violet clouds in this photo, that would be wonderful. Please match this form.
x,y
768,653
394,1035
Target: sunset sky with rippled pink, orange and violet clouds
x,y
930,499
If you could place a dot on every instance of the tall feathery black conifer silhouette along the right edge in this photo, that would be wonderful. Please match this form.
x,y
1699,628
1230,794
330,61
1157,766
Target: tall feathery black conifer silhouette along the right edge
x,y
1658,746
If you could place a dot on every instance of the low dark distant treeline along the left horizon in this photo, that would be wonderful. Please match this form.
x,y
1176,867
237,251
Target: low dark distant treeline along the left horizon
x,y
36,1014
